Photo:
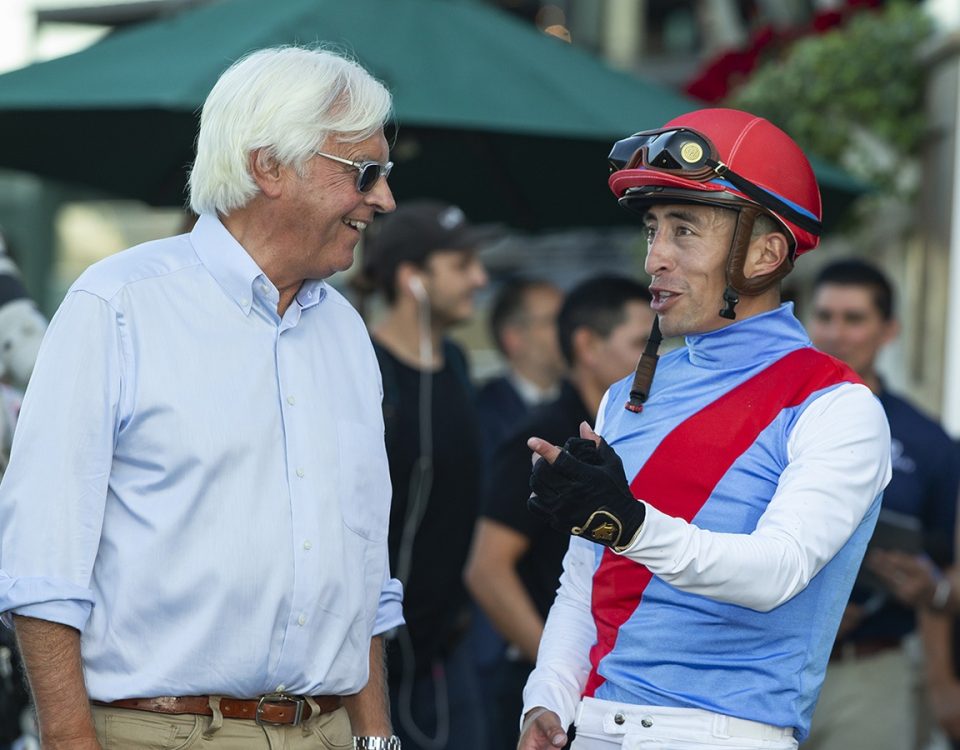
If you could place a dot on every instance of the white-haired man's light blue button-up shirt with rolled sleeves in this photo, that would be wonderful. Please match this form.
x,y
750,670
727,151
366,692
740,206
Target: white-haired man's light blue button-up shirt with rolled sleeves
x,y
200,486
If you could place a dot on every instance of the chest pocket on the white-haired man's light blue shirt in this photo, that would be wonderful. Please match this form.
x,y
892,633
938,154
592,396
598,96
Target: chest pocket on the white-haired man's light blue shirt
x,y
364,486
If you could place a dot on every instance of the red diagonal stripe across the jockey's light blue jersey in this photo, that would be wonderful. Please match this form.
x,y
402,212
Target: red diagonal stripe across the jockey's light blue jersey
x,y
683,470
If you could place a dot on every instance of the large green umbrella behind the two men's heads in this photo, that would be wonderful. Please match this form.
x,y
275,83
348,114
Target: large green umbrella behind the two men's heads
x,y
512,124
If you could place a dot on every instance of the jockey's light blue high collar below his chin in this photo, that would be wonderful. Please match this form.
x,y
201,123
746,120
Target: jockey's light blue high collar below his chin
x,y
769,335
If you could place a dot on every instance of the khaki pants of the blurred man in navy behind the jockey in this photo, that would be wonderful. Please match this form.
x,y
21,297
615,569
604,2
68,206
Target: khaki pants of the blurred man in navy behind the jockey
x,y
866,702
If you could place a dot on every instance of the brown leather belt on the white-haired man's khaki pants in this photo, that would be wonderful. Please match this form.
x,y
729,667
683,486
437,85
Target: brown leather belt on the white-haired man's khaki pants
x,y
274,708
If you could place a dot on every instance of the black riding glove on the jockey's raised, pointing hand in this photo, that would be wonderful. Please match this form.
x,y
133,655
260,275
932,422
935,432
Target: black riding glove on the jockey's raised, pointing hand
x,y
585,493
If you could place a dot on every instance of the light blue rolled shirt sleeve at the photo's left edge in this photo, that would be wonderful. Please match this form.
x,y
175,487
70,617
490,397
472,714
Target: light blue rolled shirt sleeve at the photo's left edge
x,y
54,491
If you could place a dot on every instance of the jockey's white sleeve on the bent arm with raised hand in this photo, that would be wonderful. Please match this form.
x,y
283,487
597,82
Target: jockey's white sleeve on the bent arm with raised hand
x,y
838,463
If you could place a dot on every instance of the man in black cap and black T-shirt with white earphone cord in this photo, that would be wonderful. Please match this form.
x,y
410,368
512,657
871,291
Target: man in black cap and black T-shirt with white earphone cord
x,y
424,262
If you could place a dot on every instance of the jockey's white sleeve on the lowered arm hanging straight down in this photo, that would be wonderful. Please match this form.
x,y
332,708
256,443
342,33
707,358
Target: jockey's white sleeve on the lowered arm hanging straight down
x,y
563,660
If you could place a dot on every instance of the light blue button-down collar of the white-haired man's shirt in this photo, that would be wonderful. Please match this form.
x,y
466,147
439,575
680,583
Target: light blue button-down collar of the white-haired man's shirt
x,y
233,268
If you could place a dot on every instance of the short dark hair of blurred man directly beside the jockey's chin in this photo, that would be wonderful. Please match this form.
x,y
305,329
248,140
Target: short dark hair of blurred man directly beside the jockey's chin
x,y
598,304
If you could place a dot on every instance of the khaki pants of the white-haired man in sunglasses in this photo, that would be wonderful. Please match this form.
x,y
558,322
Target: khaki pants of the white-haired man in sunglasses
x,y
126,729
